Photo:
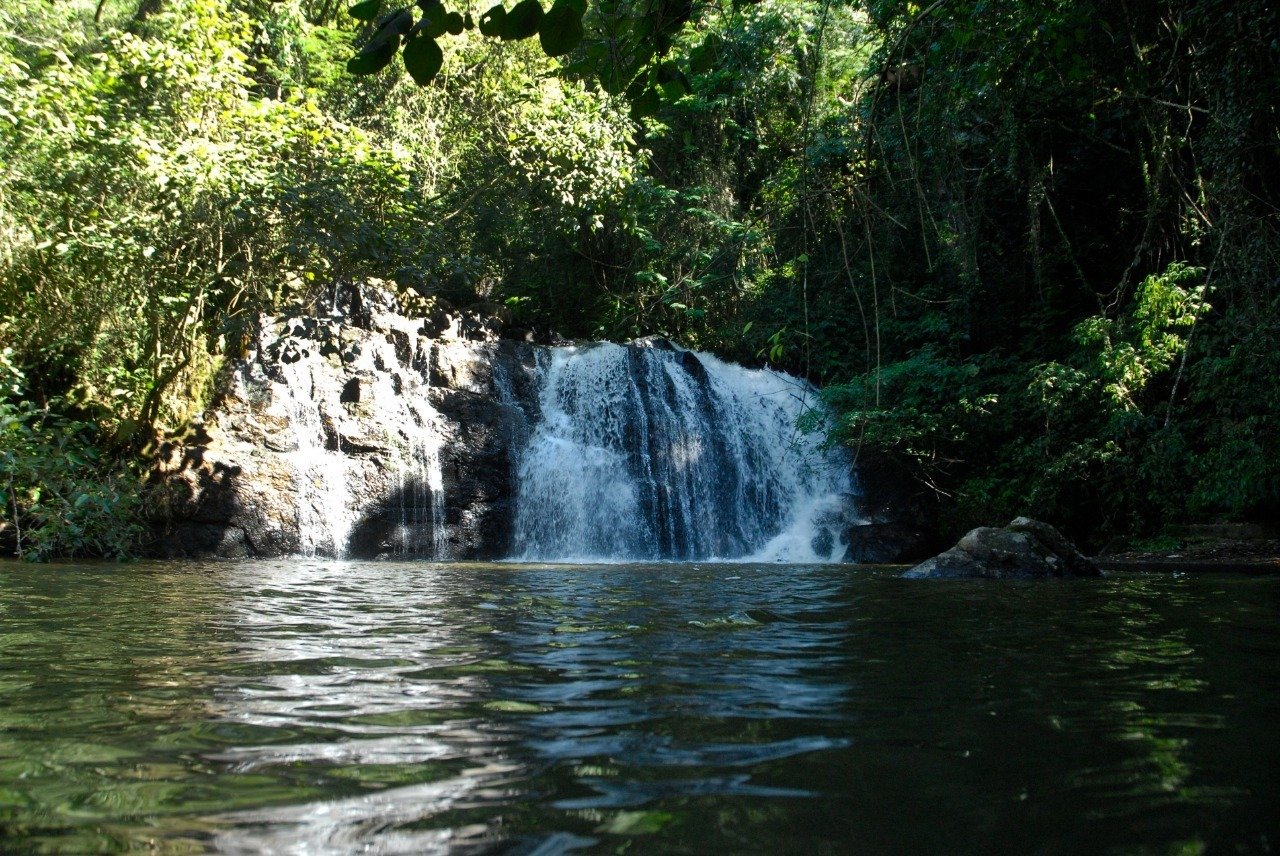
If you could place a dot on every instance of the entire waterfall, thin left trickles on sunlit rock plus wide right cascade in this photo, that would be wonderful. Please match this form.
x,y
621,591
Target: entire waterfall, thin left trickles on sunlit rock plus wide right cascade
x,y
368,434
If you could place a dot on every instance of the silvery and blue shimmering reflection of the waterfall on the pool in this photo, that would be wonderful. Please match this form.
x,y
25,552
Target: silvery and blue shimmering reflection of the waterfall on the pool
x,y
478,683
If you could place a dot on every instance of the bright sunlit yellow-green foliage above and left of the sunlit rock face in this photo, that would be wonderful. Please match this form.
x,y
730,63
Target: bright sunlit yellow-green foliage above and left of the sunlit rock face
x,y
166,186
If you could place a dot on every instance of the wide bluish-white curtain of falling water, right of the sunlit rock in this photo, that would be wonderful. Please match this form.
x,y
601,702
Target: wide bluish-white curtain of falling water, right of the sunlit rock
x,y
653,454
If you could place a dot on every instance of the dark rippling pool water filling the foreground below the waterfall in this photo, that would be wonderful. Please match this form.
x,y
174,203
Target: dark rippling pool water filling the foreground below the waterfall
x,y
378,708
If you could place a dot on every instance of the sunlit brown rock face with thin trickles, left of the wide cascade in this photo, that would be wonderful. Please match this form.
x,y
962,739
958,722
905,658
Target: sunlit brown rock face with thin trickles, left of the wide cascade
x,y
410,422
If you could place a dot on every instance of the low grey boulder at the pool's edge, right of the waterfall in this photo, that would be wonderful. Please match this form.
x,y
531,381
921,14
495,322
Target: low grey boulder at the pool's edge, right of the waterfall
x,y
1026,550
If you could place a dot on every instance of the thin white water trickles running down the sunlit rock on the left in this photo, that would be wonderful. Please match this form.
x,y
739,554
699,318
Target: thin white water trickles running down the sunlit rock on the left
x,y
364,399
